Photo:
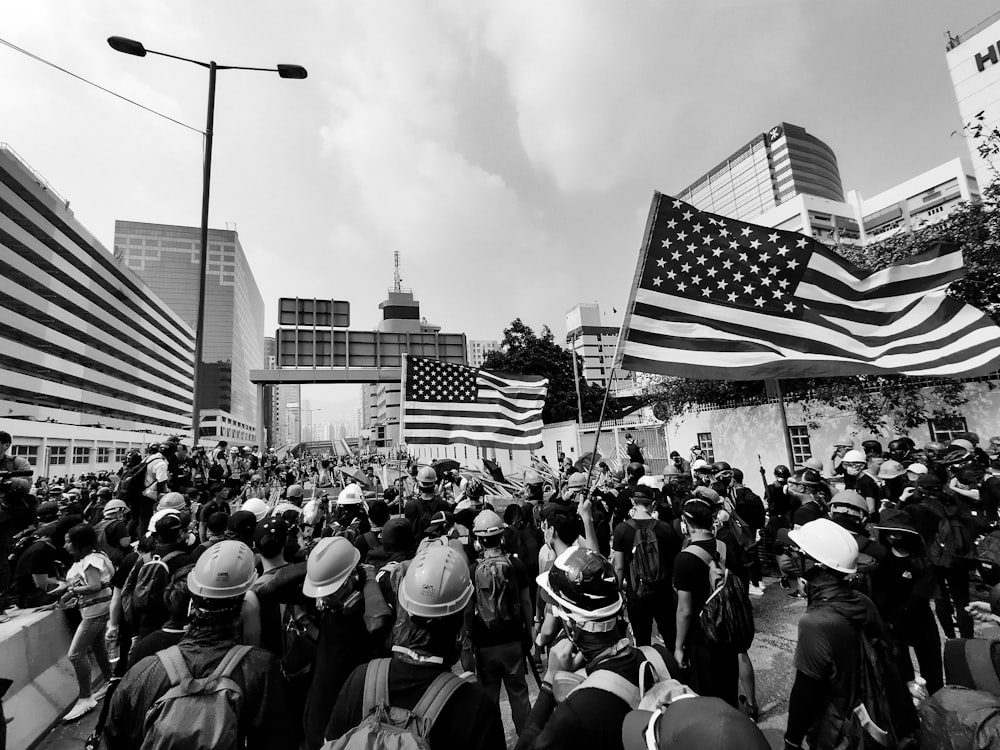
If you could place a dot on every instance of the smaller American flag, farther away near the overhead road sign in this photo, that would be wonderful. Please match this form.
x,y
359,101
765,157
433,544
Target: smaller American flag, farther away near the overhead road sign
x,y
447,403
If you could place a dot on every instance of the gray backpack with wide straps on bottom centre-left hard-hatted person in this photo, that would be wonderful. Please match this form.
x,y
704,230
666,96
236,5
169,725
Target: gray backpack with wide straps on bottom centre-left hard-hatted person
x,y
385,727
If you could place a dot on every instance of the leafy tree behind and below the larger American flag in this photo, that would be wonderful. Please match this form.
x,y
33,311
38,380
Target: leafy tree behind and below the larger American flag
x,y
894,402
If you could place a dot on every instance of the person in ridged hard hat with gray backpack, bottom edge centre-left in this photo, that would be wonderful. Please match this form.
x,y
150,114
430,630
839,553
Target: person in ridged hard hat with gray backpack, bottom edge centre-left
x,y
413,700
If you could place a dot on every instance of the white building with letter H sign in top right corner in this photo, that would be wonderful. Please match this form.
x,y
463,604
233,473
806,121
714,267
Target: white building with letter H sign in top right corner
x,y
973,59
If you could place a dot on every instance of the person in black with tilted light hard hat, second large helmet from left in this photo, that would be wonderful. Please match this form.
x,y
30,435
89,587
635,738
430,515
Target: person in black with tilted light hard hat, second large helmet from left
x,y
334,579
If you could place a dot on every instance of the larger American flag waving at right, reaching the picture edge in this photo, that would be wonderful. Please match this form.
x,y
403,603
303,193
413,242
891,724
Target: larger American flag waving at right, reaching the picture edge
x,y
718,298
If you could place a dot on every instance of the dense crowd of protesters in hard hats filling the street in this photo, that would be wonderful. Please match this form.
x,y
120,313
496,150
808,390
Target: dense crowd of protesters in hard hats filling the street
x,y
230,599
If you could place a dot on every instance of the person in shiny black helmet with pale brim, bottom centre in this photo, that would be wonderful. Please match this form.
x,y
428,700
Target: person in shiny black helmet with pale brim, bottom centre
x,y
571,712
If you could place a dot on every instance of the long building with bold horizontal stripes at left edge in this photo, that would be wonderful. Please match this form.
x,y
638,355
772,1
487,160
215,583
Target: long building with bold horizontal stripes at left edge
x,y
84,341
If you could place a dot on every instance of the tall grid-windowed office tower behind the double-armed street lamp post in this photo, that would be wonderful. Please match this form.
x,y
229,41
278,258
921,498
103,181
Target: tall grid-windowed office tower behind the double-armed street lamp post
x,y
167,258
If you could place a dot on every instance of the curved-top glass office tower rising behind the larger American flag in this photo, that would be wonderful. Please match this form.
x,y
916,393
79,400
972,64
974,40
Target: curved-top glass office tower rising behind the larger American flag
x,y
773,167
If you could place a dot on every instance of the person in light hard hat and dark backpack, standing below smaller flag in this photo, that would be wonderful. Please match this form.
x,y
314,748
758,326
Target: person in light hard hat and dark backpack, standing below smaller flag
x,y
501,619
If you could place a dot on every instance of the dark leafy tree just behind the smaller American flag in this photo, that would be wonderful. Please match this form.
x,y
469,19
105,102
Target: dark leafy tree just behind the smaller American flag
x,y
523,352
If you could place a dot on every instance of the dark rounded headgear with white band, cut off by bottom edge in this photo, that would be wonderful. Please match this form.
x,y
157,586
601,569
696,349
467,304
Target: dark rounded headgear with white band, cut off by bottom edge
x,y
691,722
